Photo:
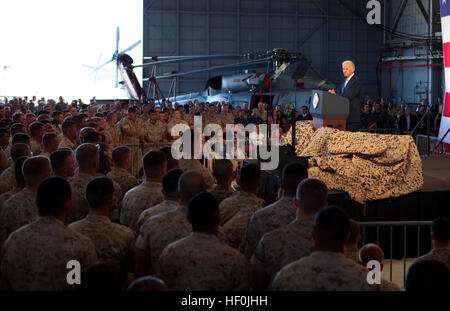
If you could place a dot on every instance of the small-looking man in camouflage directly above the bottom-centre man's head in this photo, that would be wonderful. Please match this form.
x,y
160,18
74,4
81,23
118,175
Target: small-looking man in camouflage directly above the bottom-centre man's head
x,y
223,173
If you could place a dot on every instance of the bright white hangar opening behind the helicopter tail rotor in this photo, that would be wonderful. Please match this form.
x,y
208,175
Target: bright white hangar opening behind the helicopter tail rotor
x,y
49,46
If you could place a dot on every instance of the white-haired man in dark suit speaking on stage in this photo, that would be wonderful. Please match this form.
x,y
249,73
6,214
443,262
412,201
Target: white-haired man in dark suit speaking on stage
x,y
351,89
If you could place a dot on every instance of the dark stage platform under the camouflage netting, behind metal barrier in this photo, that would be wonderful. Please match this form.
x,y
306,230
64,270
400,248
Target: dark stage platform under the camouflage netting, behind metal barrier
x,y
431,202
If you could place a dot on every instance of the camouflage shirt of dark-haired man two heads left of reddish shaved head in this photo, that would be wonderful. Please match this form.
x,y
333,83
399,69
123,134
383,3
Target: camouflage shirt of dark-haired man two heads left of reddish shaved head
x,y
136,200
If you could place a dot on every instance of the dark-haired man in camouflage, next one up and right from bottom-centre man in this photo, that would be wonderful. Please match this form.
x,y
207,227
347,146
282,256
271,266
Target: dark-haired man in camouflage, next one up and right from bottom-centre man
x,y
249,181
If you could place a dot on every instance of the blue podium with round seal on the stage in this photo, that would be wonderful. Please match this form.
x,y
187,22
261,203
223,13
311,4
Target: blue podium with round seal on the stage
x,y
329,110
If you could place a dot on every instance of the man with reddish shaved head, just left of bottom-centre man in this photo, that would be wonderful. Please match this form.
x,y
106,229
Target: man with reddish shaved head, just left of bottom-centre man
x,y
159,231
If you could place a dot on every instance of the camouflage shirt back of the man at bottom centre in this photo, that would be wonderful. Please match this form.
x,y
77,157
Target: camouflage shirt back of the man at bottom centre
x,y
201,262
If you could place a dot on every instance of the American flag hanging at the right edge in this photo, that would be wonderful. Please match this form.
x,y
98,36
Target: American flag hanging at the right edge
x,y
445,22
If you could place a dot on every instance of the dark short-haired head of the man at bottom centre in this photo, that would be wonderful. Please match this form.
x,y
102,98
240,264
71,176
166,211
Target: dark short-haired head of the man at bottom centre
x,y
203,211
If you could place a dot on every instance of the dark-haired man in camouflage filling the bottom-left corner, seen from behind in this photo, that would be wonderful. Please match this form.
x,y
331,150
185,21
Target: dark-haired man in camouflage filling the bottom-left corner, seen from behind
x,y
35,257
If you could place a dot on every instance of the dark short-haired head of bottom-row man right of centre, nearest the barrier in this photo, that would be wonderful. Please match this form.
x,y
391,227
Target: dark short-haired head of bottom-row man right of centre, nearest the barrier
x,y
332,225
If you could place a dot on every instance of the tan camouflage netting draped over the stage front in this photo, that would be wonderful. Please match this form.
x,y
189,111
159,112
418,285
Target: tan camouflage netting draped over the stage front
x,y
366,166
